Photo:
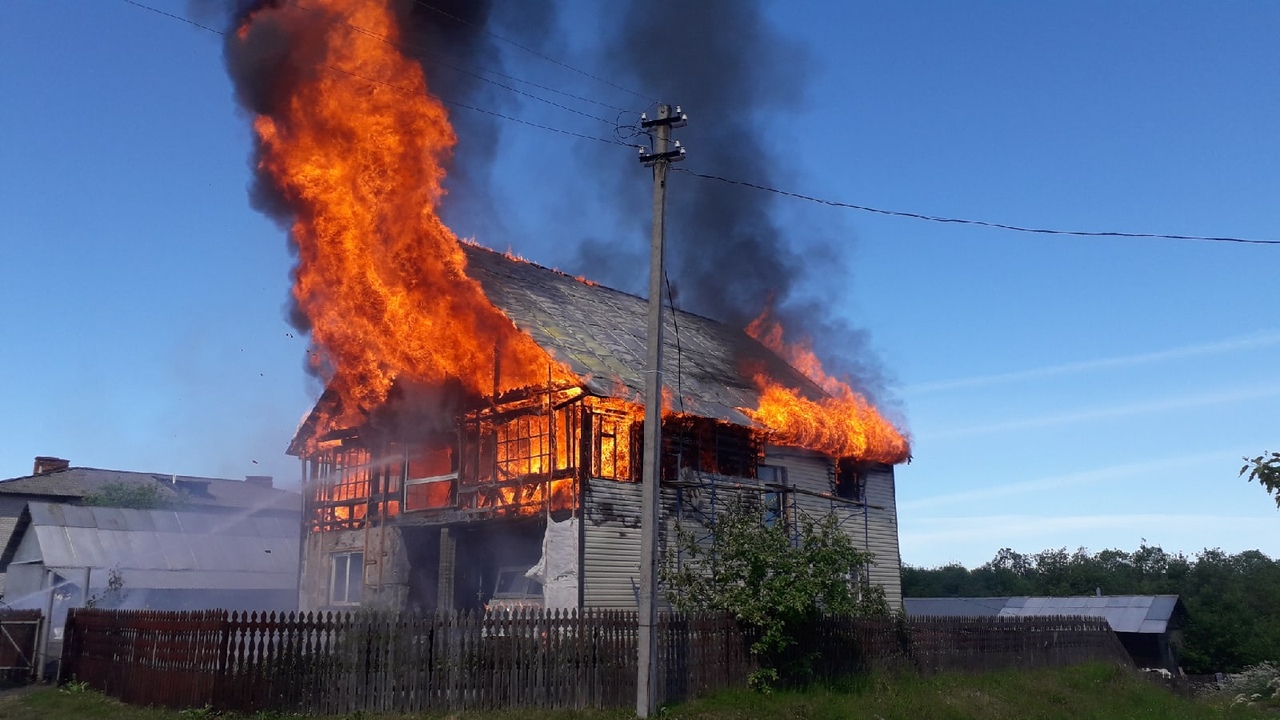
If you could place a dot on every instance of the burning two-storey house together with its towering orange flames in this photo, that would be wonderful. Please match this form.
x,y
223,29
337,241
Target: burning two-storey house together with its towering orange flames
x,y
478,440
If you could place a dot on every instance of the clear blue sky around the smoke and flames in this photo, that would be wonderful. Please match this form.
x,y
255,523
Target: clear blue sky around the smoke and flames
x,y
1062,393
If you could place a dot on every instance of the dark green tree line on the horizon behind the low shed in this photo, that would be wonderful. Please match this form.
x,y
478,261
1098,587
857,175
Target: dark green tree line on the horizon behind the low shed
x,y
1233,601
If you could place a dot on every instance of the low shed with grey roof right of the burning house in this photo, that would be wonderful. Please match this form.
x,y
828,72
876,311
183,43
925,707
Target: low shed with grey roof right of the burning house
x,y
1149,626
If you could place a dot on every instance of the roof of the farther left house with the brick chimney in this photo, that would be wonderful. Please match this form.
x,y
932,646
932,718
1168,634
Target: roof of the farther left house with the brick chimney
x,y
74,484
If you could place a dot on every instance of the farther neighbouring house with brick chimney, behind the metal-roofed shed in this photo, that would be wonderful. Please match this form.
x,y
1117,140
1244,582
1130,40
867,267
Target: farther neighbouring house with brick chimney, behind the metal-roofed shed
x,y
54,480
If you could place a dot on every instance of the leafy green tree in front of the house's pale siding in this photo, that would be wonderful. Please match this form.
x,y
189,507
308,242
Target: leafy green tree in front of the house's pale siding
x,y
771,578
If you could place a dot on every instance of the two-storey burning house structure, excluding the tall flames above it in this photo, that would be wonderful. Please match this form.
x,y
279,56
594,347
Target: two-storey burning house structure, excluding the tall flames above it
x,y
451,505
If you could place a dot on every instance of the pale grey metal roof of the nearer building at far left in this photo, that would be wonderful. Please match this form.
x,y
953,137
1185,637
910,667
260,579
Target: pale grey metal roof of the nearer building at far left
x,y
159,549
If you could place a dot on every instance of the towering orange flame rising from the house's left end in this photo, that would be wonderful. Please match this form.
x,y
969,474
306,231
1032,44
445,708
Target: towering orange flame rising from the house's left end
x,y
358,149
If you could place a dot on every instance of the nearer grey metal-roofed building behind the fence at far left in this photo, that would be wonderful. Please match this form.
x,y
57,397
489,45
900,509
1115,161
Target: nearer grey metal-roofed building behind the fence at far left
x,y
152,559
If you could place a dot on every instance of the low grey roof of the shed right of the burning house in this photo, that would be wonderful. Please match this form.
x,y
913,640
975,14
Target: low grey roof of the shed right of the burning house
x,y
1124,613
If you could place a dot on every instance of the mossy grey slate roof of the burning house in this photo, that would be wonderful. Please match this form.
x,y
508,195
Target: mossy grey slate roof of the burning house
x,y
600,332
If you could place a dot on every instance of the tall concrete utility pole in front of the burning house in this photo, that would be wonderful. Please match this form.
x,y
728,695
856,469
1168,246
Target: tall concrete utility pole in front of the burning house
x,y
662,157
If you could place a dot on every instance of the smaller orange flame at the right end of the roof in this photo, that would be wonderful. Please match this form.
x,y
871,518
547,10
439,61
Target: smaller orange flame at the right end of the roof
x,y
843,425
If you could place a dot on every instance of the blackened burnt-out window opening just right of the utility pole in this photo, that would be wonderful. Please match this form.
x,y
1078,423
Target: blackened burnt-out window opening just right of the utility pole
x,y
708,446
